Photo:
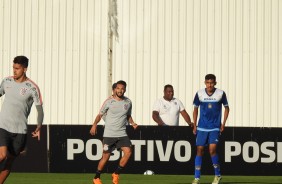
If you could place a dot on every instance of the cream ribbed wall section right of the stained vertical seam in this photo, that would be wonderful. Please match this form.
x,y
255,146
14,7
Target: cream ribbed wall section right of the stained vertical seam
x,y
179,41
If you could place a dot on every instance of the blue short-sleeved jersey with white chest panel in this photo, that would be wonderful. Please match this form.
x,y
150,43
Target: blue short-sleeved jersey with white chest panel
x,y
210,109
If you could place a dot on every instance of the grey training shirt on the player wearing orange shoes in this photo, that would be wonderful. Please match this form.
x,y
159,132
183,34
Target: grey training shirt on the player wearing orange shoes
x,y
116,118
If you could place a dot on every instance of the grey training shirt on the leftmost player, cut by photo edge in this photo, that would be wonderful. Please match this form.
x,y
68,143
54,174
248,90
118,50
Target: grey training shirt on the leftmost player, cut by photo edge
x,y
16,107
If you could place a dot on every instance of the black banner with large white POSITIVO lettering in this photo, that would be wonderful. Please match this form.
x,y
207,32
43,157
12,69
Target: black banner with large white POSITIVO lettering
x,y
168,150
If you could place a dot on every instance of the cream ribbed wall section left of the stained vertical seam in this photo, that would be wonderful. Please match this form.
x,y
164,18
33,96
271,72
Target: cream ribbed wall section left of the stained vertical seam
x,y
66,41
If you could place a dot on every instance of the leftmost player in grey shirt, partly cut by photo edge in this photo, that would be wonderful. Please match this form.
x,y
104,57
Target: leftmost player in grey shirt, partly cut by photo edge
x,y
20,93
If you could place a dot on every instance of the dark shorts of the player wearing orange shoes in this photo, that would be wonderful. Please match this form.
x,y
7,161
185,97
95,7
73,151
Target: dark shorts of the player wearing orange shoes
x,y
111,143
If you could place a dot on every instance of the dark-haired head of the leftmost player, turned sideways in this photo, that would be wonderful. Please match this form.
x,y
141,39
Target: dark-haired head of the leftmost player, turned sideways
x,y
20,66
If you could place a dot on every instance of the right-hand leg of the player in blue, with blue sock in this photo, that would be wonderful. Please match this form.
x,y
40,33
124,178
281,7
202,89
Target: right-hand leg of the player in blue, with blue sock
x,y
213,141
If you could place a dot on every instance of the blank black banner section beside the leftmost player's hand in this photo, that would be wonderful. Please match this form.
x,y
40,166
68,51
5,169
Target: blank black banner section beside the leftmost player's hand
x,y
34,158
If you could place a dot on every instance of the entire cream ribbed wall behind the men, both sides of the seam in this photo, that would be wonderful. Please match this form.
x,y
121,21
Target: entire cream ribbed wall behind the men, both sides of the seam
x,y
160,42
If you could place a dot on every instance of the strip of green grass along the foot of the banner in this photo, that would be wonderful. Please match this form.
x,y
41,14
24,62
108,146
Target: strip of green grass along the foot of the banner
x,y
52,178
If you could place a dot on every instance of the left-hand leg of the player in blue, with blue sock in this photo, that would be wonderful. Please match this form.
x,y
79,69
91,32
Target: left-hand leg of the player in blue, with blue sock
x,y
201,141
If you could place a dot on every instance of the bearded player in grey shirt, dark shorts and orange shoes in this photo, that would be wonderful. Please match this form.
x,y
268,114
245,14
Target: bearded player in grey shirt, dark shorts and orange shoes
x,y
118,112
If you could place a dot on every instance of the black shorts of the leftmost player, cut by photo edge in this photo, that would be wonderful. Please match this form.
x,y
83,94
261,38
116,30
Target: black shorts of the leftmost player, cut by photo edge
x,y
14,142
